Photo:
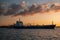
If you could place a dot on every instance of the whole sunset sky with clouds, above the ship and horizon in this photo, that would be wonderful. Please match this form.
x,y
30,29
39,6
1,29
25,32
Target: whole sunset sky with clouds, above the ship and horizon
x,y
30,11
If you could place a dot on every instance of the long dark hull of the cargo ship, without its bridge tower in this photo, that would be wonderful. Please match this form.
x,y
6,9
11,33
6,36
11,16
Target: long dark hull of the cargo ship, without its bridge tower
x,y
35,27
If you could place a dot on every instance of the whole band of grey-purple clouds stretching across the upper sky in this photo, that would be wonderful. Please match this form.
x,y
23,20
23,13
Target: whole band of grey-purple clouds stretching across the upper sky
x,y
22,9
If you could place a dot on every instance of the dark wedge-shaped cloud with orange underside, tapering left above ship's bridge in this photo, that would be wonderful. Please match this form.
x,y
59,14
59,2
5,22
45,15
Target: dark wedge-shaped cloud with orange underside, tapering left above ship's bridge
x,y
30,10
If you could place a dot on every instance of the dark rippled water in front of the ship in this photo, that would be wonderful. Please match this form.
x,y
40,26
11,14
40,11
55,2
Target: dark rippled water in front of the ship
x,y
29,34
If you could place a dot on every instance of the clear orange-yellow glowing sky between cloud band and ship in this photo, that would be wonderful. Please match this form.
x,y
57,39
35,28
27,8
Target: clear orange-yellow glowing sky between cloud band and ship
x,y
37,19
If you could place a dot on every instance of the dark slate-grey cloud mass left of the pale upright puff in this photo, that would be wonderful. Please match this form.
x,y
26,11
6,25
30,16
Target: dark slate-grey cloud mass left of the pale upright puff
x,y
12,9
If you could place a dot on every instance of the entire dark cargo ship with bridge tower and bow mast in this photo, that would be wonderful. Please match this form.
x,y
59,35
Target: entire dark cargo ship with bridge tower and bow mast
x,y
19,25
